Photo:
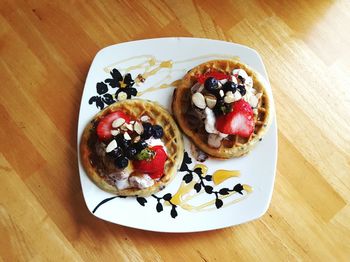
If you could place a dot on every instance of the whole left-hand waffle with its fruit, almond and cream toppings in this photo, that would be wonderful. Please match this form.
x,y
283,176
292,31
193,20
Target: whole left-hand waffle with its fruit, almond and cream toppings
x,y
132,148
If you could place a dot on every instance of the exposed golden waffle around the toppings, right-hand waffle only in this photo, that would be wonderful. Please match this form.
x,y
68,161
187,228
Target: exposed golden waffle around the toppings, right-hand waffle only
x,y
233,145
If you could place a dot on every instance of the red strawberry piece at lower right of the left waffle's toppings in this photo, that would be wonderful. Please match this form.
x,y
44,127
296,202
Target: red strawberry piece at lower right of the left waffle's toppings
x,y
153,167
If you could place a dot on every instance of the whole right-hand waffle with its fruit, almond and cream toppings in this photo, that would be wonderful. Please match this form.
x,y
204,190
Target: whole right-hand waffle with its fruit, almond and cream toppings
x,y
223,107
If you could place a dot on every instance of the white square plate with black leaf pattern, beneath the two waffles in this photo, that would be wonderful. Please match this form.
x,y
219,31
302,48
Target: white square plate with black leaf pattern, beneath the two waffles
x,y
257,169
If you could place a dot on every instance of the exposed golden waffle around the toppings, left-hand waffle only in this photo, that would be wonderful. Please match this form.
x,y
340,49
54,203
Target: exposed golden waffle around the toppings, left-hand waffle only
x,y
172,140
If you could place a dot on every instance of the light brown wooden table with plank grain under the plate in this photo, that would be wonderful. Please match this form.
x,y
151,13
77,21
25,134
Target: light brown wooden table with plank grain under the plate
x,y
46,50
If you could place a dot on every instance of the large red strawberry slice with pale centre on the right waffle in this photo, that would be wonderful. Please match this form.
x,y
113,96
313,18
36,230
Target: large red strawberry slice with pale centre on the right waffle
x,y
238,122
